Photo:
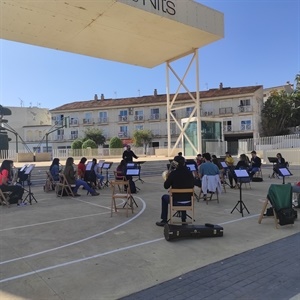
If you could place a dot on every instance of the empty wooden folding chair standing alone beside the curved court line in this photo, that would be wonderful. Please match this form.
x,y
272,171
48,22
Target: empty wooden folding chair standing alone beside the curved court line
x,y
121,190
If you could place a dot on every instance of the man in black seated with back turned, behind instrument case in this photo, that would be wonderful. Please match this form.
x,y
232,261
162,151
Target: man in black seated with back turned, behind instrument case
x,y
180,178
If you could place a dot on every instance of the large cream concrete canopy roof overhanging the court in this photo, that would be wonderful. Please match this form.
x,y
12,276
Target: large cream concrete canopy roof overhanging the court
x,y
139,32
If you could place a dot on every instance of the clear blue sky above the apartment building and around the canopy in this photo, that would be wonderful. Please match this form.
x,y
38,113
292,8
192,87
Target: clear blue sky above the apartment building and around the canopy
x,y
261,46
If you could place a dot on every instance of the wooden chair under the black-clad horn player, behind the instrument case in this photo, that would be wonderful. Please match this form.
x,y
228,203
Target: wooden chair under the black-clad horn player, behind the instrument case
x,y
184,205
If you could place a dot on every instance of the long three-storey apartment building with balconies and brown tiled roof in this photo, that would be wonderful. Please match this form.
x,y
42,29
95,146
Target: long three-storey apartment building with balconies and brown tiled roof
x,y
239,108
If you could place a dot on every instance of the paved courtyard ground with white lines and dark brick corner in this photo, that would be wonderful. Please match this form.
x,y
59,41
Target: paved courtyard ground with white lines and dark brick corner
x,y
70,248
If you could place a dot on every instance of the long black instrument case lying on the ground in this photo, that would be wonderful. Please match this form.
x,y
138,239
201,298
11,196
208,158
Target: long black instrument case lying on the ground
x,y
172,232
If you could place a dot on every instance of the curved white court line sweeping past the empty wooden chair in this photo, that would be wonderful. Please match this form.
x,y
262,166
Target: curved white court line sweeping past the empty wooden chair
x,y
82,240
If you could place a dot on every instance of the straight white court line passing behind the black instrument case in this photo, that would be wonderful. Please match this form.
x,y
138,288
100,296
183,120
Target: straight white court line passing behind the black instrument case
x,y
102,254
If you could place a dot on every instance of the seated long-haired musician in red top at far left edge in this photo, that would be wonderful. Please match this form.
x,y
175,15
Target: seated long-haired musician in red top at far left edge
x,y
17,191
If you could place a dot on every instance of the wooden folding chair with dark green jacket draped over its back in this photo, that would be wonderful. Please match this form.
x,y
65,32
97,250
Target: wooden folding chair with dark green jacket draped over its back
x,y
279,196
